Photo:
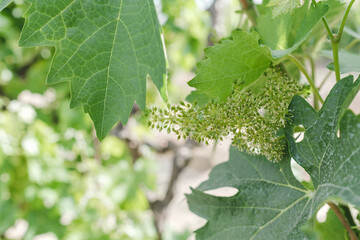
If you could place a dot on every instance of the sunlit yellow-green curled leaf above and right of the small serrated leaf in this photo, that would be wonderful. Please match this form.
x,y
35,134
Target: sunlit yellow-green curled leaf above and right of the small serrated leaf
x,y
284,34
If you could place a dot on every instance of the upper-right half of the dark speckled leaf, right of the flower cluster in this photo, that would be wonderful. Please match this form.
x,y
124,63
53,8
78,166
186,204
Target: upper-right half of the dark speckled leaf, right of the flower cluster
x,y
322,153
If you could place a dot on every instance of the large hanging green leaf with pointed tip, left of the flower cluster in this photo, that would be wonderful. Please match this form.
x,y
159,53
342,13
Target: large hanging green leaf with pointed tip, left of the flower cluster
x,y
105,49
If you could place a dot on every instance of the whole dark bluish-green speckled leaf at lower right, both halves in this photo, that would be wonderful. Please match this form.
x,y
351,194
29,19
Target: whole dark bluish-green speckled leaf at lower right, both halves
x,y
271,203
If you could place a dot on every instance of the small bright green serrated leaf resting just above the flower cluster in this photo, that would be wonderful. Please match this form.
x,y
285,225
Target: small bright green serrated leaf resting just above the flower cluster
x,y
238,59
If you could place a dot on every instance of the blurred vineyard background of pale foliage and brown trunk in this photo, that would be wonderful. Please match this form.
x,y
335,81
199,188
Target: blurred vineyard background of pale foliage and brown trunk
x,y
58,182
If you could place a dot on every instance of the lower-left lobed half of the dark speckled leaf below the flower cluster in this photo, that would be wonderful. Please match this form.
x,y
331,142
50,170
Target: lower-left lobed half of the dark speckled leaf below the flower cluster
x,y
270,203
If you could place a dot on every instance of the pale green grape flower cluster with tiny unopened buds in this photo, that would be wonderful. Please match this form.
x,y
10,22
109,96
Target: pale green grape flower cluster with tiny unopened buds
x,y
252,119
